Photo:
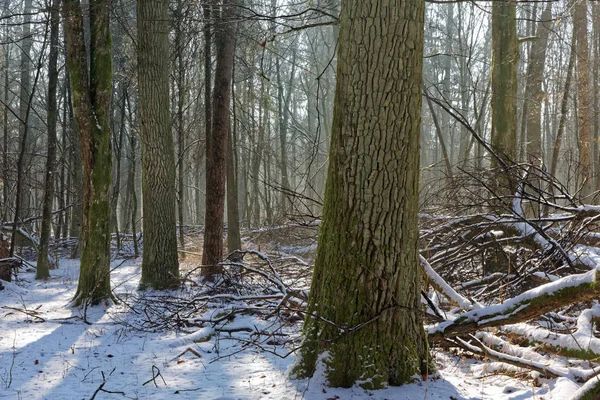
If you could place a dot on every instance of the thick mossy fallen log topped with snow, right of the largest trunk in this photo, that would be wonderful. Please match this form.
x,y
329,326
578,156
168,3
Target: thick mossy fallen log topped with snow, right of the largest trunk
x,y
526,306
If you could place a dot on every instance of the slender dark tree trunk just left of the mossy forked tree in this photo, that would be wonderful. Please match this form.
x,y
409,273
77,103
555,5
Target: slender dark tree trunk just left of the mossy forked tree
x,y
43,265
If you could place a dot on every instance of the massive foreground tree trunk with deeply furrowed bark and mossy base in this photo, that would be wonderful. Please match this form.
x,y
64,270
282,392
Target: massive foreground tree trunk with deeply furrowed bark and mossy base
x,y
364,305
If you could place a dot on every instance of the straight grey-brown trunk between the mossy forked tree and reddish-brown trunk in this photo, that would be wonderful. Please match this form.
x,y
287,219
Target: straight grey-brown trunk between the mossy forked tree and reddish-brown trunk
x,y
160,265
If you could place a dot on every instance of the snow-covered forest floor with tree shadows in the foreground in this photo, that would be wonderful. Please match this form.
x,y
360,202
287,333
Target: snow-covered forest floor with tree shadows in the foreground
x,y
47,351
